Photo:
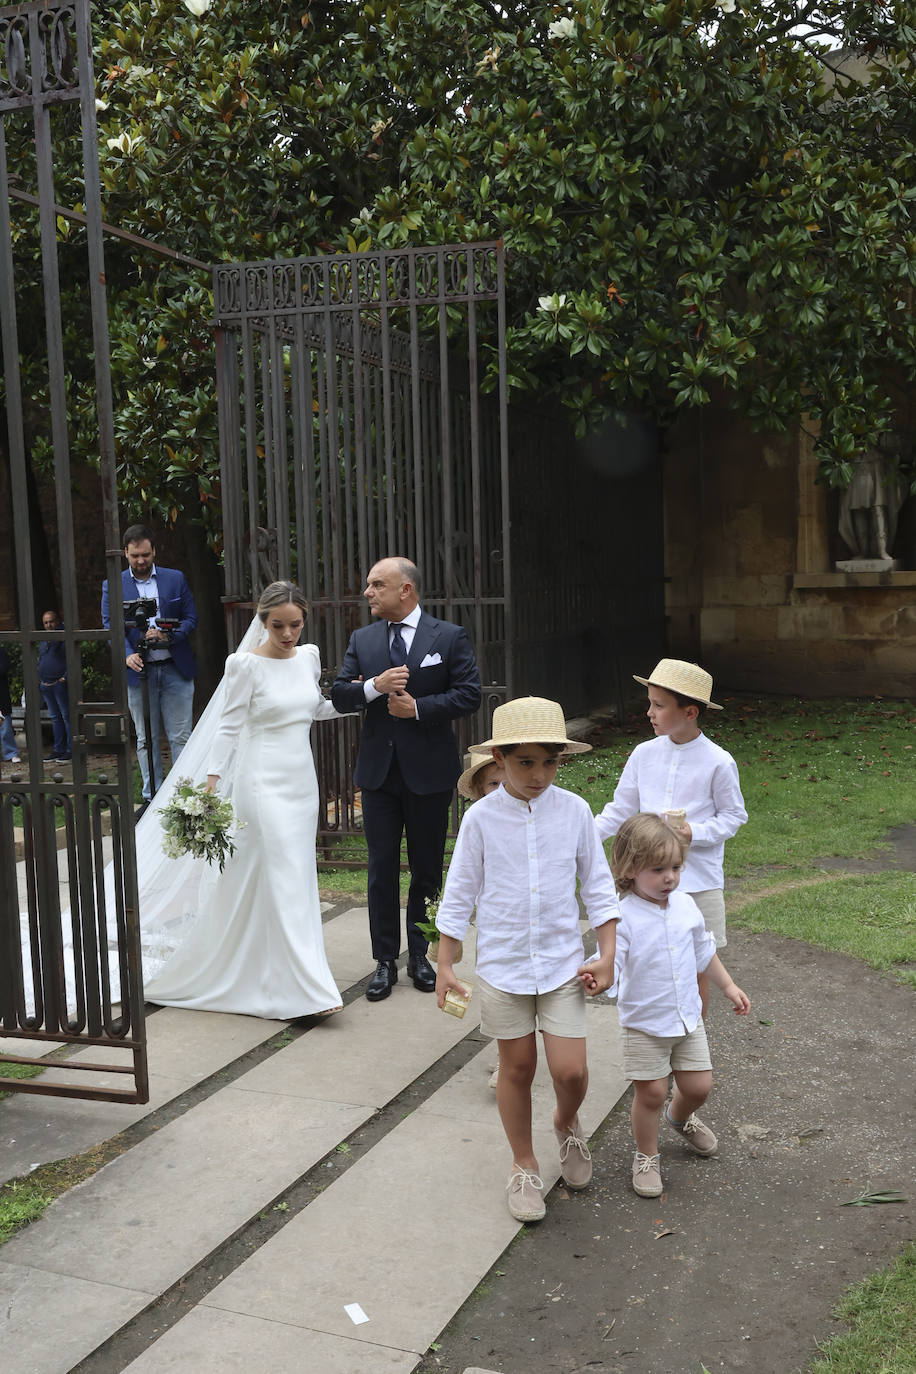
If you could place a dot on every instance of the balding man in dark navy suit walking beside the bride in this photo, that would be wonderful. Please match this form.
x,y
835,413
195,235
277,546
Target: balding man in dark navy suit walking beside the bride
x,y
413,675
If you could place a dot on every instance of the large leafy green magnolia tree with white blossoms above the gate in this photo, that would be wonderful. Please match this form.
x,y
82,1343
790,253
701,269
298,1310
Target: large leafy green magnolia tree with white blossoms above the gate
x,y
700,201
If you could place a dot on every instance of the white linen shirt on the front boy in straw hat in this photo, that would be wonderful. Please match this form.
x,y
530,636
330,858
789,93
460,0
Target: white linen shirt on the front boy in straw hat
x,y
517,862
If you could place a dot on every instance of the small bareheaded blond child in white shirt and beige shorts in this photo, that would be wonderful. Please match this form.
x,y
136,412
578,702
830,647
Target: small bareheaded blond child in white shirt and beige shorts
x,y
663,945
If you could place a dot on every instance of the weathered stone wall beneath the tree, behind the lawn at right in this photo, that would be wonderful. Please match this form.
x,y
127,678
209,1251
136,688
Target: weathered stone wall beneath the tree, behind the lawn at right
x,y
752,590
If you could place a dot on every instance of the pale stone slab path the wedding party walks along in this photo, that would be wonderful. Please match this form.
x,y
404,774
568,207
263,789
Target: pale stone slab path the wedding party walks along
x,y
321,1197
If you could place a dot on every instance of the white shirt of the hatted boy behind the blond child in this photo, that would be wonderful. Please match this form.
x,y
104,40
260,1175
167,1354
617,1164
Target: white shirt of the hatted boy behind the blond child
x,y
700,777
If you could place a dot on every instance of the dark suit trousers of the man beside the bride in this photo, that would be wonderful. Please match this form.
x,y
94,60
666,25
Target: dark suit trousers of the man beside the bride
x,y
389,813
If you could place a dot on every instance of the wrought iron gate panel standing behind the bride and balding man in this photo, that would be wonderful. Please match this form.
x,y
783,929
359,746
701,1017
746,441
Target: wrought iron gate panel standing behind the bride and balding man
x,y
354,425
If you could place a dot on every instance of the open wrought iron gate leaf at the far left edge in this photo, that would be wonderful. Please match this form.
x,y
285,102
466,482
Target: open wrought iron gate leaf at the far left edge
x,y
57,983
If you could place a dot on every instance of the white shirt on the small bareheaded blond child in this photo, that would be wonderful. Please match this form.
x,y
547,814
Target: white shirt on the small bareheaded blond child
x,y
659,954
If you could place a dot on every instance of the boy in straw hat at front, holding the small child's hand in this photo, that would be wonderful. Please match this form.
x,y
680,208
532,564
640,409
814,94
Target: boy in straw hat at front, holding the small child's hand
x,y
517,859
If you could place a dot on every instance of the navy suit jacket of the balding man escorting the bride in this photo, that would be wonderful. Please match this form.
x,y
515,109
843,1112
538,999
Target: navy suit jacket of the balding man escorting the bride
x,y
425,748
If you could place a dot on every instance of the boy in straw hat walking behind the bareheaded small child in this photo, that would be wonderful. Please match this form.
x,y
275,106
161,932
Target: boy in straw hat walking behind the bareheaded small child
x,y
690,781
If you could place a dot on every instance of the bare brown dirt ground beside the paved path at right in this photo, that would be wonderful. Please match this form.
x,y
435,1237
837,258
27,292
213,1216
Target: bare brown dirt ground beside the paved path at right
x,y
740,1263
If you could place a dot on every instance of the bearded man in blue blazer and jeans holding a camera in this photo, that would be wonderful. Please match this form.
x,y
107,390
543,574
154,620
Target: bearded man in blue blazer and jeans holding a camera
x,y
170,657
